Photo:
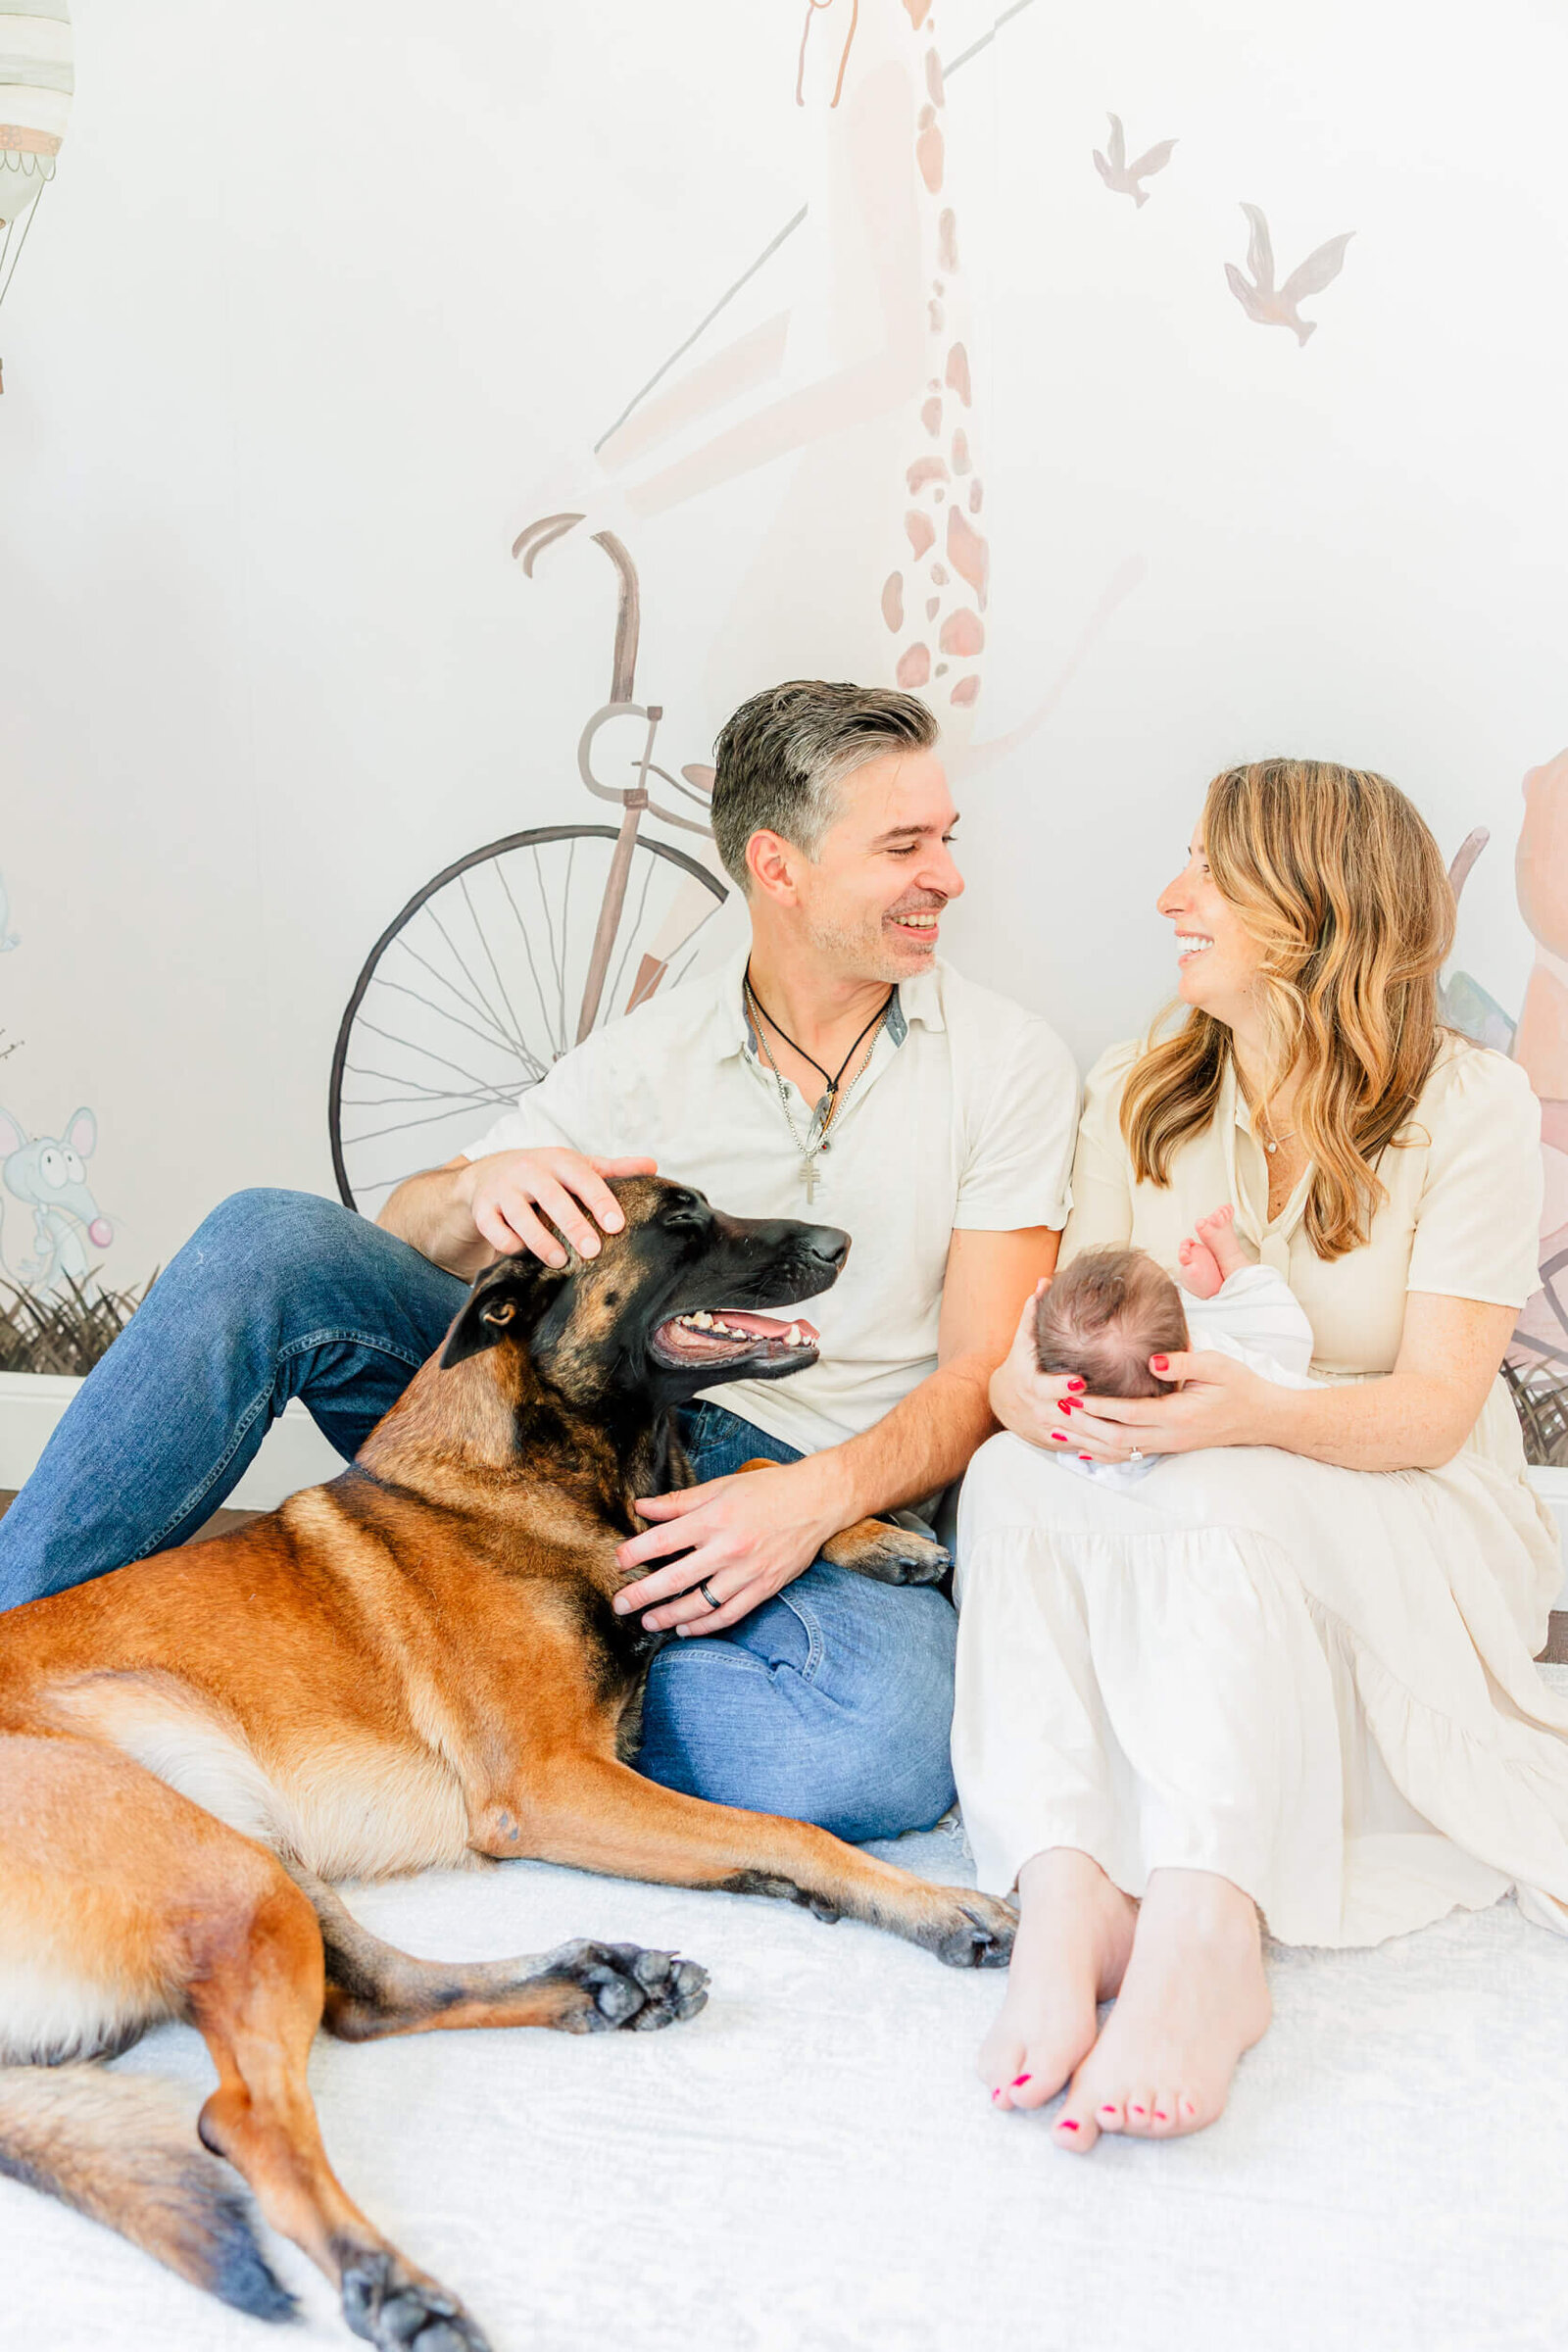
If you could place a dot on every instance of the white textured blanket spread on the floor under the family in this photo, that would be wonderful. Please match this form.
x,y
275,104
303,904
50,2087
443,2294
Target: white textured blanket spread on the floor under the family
x,y
812,2163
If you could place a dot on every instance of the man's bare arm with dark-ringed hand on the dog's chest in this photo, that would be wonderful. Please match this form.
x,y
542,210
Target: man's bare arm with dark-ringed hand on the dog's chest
x,y
753,1535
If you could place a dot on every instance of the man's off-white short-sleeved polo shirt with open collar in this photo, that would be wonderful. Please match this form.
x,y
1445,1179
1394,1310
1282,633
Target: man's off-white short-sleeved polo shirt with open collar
x,y
965,1118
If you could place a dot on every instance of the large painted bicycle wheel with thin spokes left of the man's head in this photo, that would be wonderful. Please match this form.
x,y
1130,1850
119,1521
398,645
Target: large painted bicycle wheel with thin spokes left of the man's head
x,y
481,984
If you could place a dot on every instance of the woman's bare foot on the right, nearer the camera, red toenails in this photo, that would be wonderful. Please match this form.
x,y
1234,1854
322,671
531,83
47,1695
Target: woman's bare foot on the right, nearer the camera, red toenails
x,y
1193,2000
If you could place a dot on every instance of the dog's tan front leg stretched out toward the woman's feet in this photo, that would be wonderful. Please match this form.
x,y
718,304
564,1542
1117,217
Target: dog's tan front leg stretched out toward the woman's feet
x,y
596,1815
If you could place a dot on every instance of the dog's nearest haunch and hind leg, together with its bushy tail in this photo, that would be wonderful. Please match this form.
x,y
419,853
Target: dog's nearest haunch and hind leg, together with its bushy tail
x,y
154,1906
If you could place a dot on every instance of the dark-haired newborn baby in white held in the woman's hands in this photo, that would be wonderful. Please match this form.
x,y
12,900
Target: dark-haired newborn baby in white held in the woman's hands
x,y
1113,1309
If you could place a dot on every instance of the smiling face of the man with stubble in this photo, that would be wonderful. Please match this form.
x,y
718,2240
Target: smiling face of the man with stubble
x,y
883,874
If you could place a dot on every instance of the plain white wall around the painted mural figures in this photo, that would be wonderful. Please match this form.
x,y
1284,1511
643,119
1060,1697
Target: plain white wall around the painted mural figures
x,y
328,302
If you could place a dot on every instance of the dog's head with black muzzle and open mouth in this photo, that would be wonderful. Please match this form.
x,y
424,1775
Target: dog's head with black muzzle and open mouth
x,y
678,1302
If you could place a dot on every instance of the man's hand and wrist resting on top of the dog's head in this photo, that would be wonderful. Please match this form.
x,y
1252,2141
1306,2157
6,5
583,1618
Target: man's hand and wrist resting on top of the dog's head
x,y
471,1212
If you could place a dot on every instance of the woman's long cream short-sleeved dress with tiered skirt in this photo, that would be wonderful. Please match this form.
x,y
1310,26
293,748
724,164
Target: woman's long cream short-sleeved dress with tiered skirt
x,y
1315,1683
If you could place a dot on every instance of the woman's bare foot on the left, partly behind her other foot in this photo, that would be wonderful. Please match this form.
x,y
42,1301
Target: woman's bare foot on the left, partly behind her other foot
x,y
1076,1935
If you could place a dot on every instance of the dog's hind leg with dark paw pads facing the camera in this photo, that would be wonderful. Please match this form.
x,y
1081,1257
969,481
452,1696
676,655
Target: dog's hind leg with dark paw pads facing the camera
x,y
582,1989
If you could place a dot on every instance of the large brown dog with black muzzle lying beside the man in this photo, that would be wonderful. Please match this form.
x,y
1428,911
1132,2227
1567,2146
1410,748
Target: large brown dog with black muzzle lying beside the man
x,y
408,1669
